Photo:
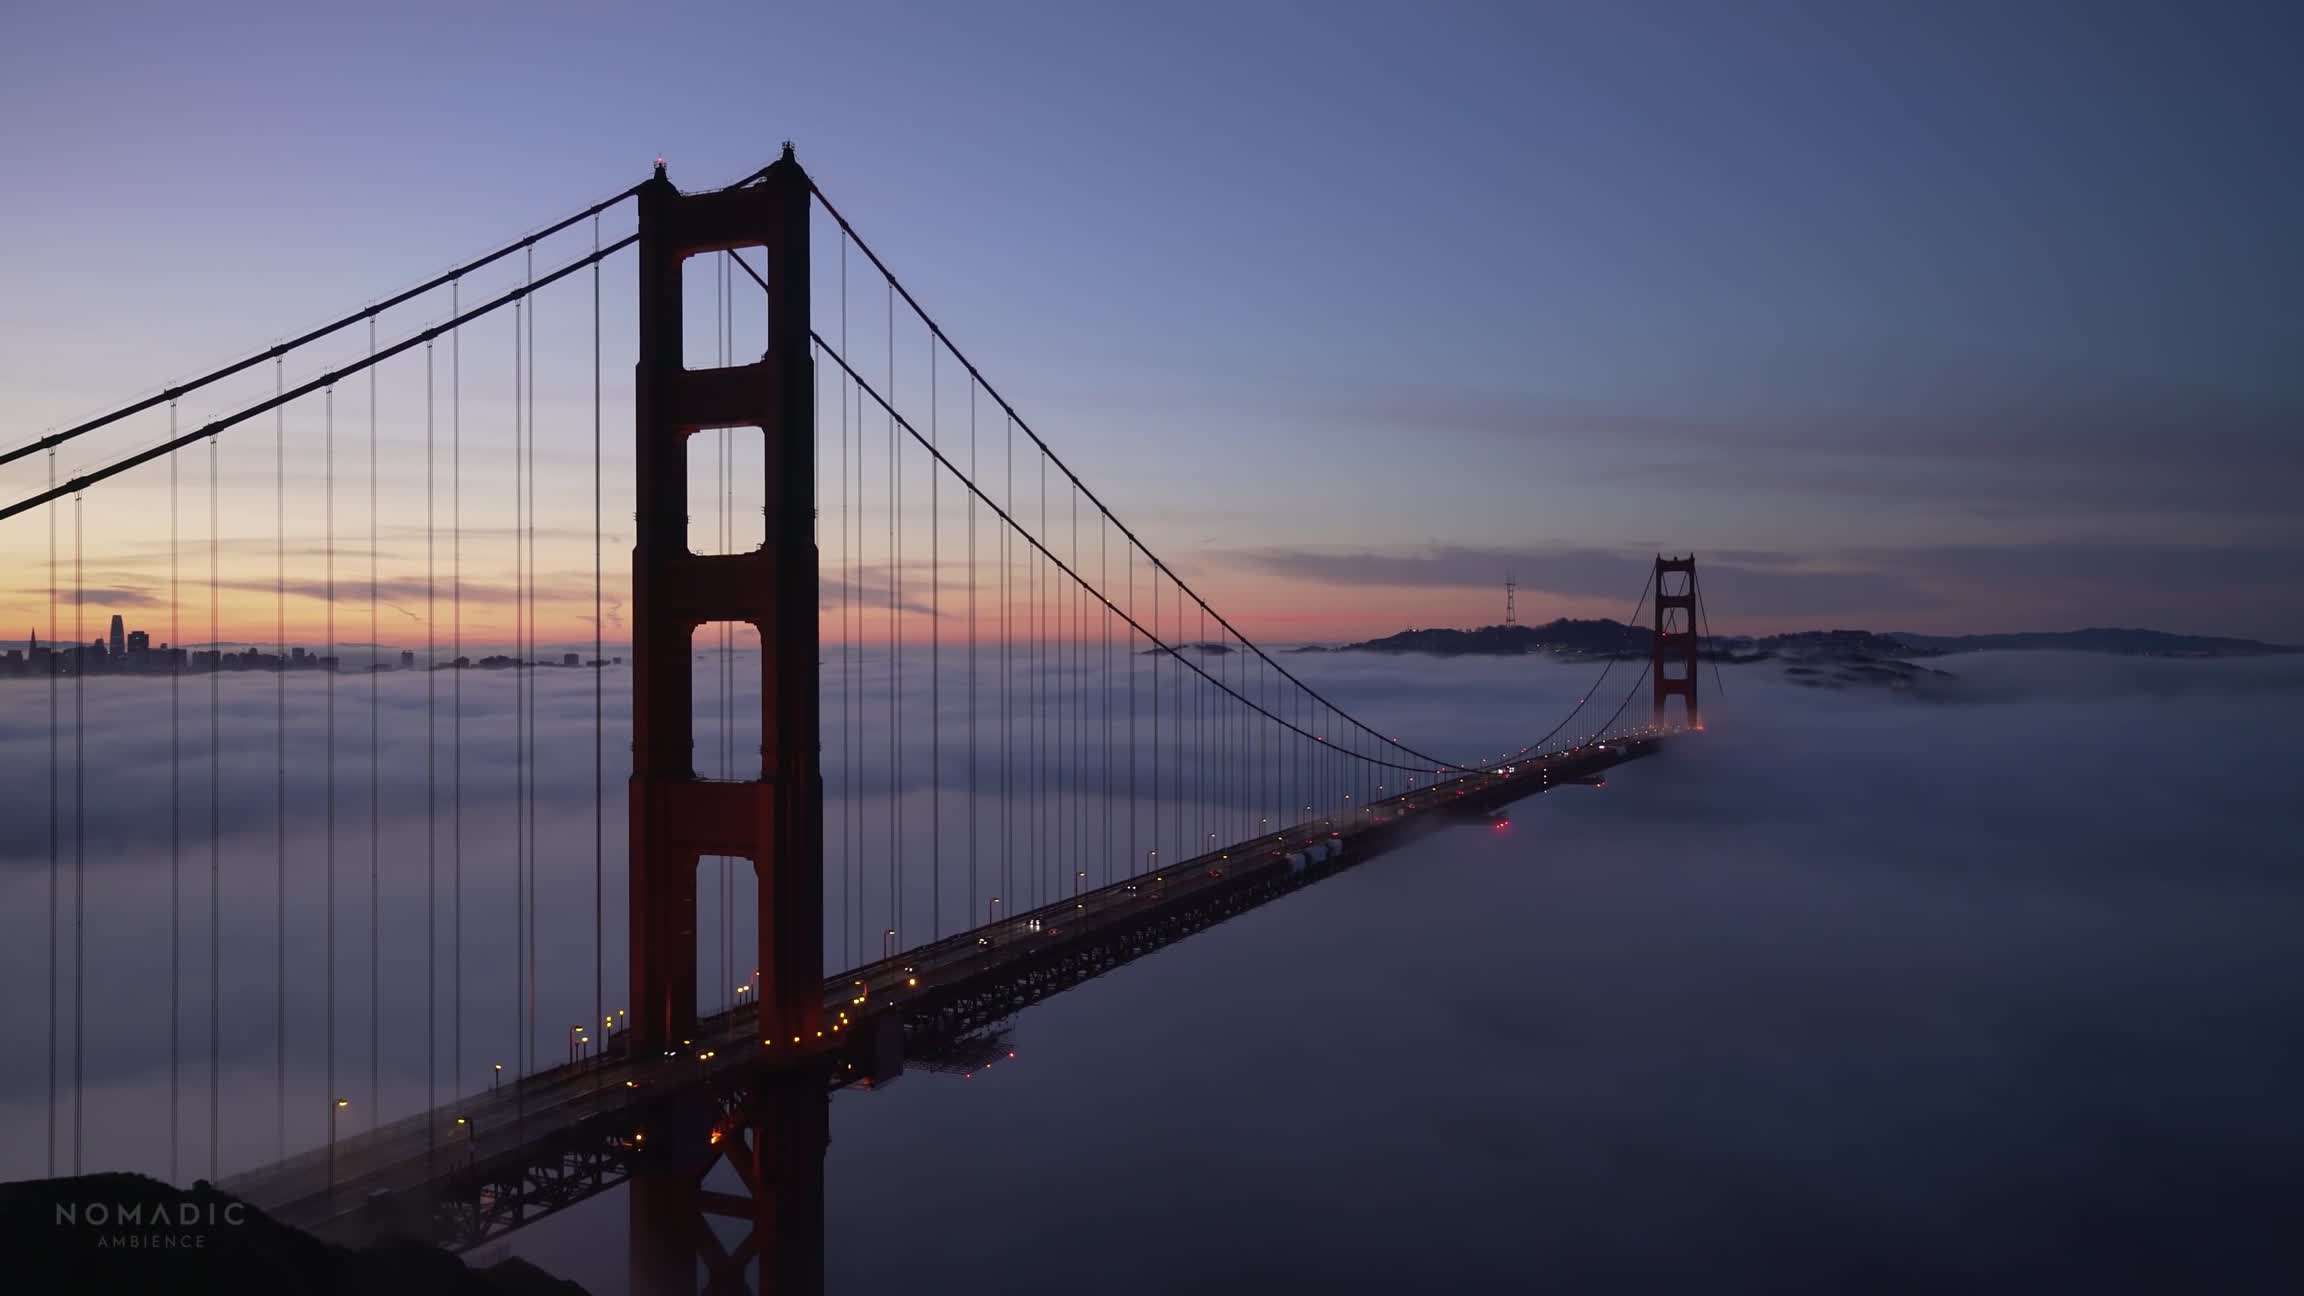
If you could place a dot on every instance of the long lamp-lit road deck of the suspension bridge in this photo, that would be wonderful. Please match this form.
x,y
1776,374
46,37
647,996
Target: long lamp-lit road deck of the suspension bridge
x,y
937,993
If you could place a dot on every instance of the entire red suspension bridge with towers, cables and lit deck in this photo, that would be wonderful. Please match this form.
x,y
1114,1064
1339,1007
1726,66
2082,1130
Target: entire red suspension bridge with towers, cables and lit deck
x,y
1252,781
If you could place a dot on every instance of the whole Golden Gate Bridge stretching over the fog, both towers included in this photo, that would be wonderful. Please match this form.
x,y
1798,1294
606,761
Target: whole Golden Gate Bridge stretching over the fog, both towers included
x,y
1107,762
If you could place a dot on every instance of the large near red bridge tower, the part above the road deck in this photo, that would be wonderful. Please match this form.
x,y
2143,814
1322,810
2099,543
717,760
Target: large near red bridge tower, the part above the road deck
x,y
676,817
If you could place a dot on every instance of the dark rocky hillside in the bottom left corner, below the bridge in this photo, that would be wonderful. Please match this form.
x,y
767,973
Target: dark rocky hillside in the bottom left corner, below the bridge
x,y
126,1233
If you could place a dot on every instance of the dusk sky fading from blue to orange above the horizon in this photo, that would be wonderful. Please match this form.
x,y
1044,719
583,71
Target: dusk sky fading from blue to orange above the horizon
x,y
1941,319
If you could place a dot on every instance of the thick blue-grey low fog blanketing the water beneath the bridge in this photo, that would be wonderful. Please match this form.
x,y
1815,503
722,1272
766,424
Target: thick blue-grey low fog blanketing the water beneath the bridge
x,y
1854,990
